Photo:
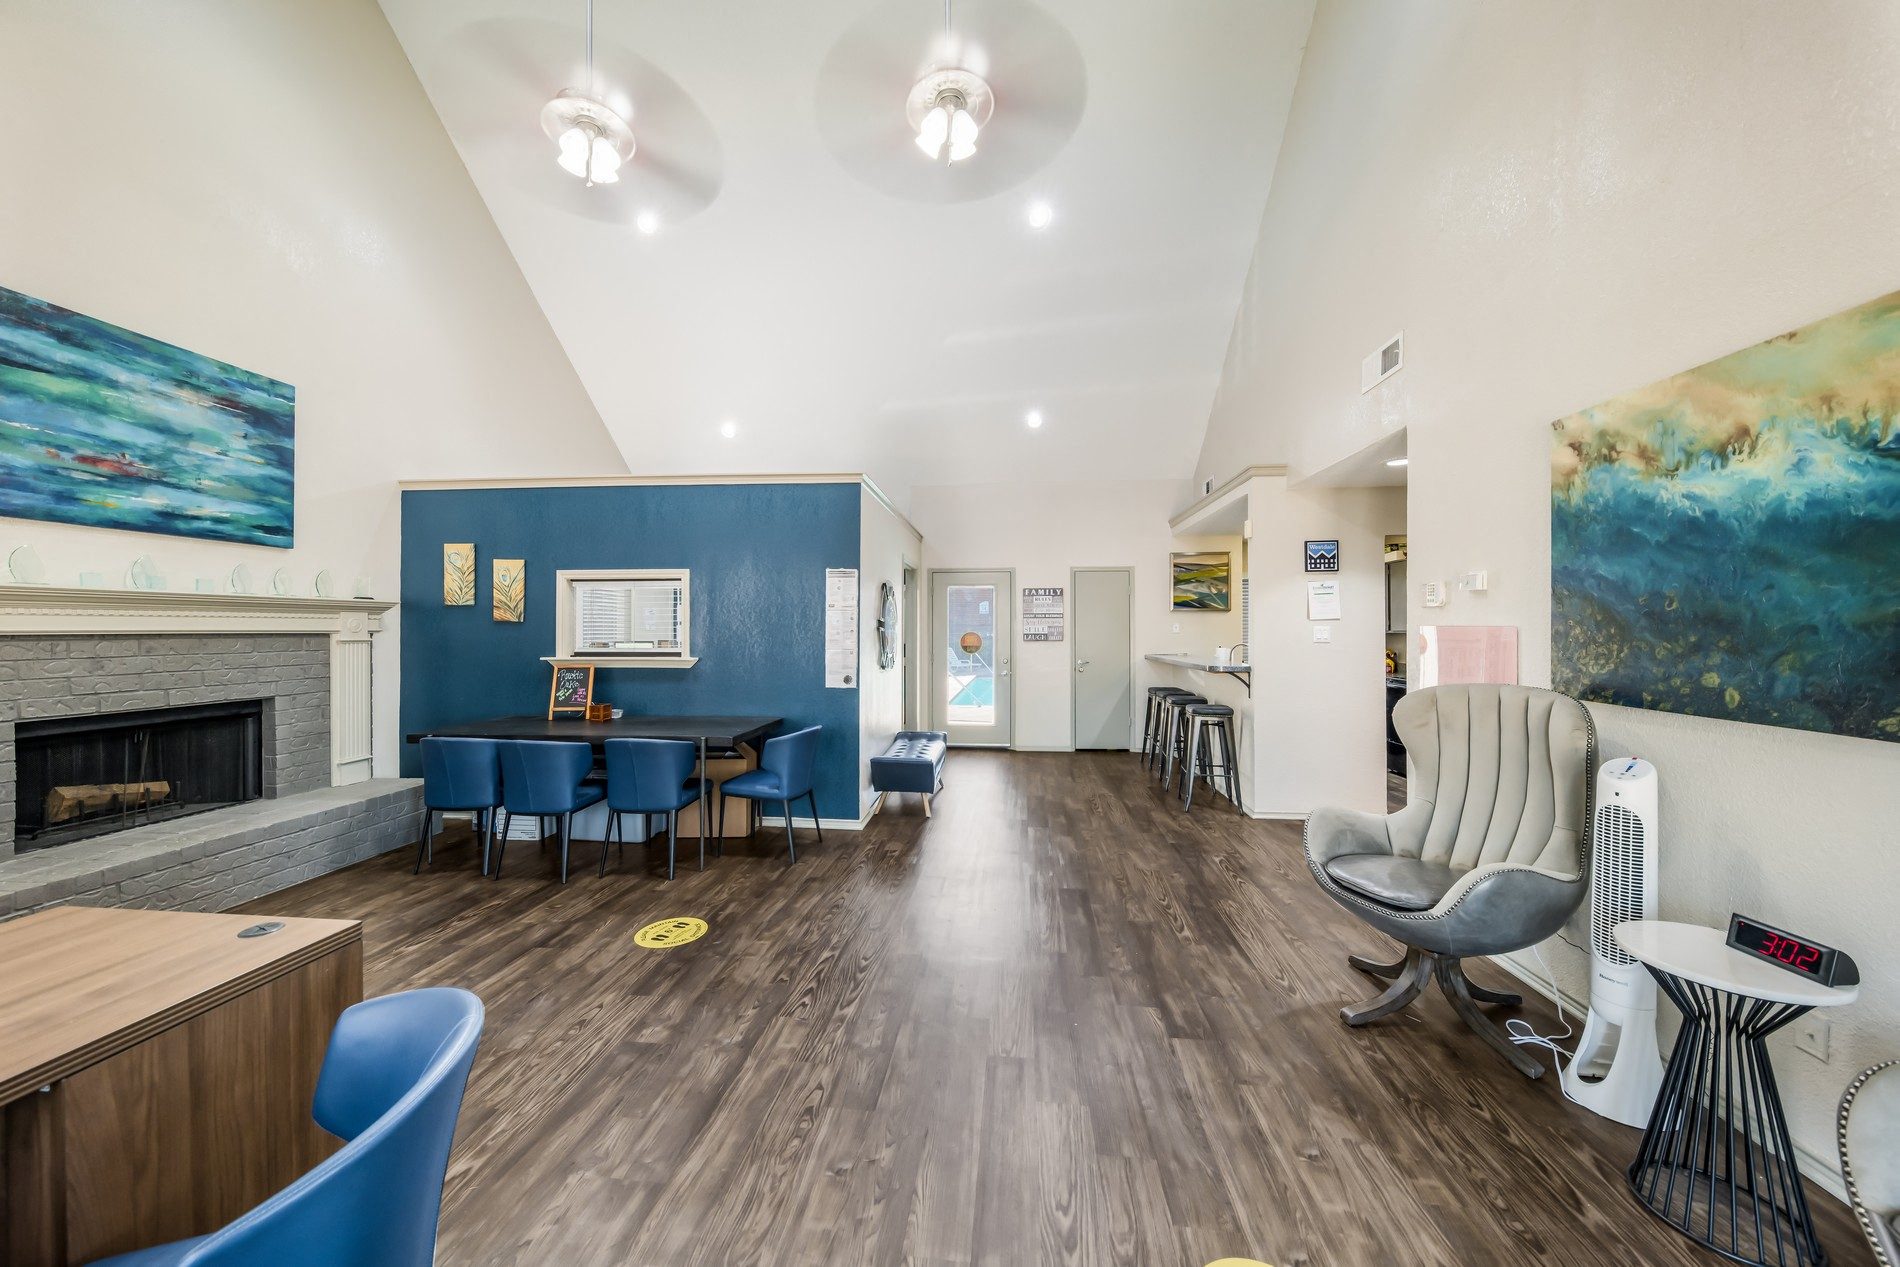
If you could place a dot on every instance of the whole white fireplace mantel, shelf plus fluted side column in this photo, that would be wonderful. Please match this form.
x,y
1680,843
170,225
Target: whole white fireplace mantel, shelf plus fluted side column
x,y
48,611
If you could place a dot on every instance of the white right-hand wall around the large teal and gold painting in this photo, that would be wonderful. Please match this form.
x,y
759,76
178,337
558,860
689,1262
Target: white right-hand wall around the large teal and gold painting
x,y
1561,202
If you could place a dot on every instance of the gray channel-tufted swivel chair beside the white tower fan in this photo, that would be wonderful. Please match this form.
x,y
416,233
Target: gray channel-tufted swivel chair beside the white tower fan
x,y
1489,856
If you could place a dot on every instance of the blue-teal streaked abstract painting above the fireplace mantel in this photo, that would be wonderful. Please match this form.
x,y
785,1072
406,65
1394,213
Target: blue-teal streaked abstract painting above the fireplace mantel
x,y
107,428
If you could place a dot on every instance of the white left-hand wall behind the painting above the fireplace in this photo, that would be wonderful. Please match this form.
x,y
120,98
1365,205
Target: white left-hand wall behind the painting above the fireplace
x,y
263,181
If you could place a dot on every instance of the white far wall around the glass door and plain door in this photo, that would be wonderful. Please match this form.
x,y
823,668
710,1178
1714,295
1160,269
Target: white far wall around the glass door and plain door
x,y
1042,531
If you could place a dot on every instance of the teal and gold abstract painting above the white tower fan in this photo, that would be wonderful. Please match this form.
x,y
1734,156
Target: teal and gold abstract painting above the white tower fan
x,y
1728,542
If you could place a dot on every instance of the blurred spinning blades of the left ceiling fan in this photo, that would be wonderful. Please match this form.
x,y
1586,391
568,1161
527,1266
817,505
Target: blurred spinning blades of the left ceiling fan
x,y
495,77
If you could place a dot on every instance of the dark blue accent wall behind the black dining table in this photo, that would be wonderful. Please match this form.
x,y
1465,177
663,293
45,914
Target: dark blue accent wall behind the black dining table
x,y
757,556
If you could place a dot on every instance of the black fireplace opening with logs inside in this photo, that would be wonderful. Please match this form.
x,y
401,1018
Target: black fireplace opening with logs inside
x,y
88,776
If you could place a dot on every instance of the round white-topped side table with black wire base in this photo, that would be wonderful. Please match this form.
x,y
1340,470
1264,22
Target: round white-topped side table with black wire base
x,y
1717,1162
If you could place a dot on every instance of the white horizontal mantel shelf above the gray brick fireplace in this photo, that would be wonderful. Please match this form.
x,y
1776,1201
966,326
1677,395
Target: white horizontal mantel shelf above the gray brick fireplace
x,y
50,611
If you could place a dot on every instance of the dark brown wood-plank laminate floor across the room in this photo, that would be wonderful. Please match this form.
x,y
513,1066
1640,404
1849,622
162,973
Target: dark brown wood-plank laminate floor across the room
x,y
1059,1023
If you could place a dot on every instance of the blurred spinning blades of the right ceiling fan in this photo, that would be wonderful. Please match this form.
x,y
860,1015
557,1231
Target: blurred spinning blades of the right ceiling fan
x,y
1027,56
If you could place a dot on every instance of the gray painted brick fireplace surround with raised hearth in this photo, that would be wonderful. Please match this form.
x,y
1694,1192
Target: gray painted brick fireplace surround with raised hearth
x,y
303,827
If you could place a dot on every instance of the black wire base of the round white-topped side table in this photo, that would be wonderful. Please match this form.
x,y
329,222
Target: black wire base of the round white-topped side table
x,y
1717,1162
